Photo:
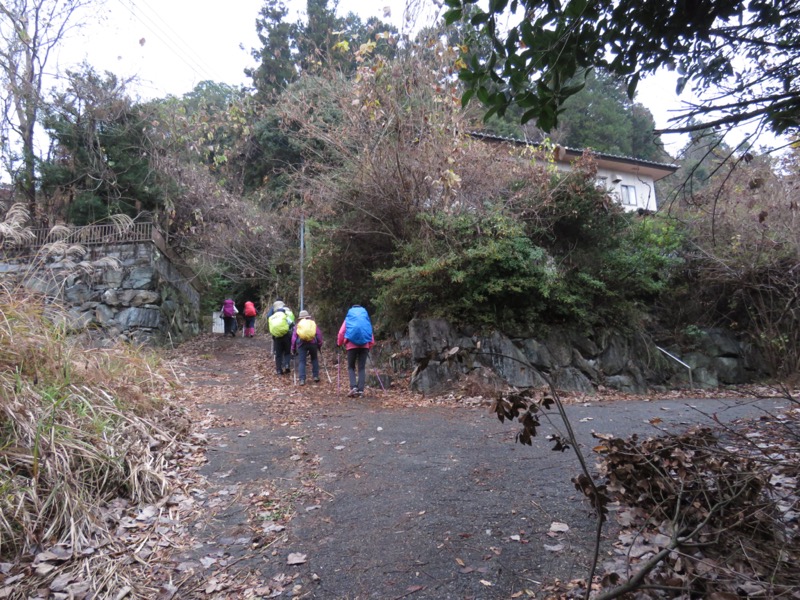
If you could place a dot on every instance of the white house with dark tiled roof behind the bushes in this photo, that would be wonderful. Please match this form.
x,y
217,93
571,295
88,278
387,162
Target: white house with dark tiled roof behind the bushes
x,y
630,180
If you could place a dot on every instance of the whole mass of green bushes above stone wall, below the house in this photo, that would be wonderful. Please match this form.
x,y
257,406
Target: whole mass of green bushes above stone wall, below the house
x,y
580,260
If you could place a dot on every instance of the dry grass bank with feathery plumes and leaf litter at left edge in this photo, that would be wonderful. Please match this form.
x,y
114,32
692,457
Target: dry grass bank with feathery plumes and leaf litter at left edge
x,y
88,437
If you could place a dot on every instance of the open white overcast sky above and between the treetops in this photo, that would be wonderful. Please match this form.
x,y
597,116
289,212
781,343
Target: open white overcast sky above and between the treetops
x,y
172,45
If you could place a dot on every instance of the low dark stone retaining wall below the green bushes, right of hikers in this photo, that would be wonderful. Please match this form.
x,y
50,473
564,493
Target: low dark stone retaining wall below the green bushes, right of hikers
x,y
441,356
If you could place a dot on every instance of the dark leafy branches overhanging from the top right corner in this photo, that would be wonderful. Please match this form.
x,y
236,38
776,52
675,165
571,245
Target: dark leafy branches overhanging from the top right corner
x,y
742,56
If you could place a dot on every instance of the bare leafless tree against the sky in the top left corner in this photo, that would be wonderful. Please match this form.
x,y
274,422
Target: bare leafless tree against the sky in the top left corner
x,y
29,32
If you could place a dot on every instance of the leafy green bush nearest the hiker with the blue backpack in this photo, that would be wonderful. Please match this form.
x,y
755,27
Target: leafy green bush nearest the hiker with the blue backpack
x,y
481,270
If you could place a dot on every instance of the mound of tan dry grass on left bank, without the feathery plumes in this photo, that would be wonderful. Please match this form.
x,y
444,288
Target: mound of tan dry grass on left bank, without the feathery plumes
x,y
78,428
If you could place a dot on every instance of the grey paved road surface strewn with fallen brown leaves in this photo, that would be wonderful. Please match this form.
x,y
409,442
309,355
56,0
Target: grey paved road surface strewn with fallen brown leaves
x,y
427,501
